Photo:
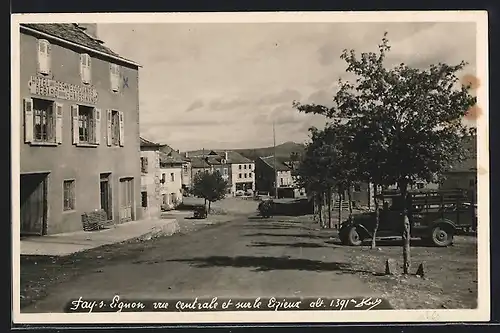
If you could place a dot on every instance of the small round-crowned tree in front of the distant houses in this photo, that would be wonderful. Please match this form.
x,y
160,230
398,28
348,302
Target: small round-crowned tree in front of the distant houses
x,y
209,186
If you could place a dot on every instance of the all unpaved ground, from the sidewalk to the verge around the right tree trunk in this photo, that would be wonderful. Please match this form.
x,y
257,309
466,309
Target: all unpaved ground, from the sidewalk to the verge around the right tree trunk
x,y
246,256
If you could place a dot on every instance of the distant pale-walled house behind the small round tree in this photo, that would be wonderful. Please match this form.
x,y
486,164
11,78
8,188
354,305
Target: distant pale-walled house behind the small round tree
x,y
236,169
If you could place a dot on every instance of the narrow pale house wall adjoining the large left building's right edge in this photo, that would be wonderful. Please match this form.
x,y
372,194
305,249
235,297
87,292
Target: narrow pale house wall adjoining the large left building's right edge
x,y
150,179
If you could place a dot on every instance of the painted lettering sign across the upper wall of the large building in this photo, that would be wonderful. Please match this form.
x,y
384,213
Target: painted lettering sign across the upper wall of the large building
x,y
46,87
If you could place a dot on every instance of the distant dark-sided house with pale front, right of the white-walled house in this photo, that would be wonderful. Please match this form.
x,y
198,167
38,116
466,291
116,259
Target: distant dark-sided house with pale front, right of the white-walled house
x,y
266,177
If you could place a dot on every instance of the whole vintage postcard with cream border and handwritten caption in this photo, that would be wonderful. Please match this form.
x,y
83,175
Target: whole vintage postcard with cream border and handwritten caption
x,y
250,167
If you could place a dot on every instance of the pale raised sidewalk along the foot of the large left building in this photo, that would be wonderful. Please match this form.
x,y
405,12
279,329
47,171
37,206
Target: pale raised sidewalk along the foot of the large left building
x,y
68,243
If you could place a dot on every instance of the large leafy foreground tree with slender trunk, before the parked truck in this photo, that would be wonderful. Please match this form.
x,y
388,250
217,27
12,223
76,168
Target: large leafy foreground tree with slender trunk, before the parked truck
x,y
417,111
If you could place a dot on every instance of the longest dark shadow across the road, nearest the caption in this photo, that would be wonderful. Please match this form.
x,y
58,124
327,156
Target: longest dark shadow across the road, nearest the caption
x,y
263,264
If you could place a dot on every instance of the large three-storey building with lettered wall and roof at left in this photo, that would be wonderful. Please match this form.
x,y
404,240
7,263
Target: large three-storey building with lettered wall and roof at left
x,y
79,143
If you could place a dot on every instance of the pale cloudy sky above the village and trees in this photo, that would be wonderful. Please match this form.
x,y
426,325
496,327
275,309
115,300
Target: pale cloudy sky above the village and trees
x,y
221,85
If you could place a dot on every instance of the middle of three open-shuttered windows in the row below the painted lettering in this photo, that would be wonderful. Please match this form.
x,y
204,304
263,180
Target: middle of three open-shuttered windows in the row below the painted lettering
x,y
86,124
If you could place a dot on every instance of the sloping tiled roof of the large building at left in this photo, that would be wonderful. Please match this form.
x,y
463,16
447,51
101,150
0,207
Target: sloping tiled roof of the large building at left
x,y
72,33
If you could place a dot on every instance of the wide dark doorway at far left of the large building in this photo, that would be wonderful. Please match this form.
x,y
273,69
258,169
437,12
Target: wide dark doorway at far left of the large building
x,y
33,188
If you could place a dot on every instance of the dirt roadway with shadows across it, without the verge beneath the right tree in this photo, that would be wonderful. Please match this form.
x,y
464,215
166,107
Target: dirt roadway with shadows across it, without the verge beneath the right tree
x,y
247,257
